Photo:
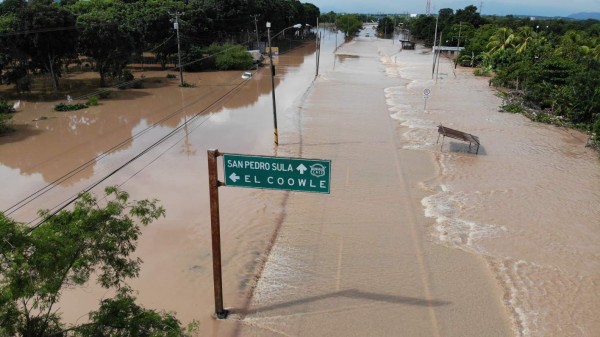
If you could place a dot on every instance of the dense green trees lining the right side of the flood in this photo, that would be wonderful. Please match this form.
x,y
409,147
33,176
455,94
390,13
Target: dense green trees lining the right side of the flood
x,y
551,67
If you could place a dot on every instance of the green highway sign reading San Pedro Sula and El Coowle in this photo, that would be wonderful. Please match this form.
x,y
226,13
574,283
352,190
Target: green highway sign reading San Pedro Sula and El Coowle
x,y
278,173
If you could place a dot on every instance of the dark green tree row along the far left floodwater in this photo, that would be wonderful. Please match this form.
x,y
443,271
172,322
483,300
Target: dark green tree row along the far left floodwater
x,y
43,36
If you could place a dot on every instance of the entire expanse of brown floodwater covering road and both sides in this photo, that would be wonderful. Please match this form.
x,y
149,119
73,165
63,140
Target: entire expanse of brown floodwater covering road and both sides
x,y
415,237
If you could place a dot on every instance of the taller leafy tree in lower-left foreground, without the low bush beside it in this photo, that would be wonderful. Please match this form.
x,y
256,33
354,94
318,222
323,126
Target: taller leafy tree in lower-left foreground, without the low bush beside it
x,y
37,264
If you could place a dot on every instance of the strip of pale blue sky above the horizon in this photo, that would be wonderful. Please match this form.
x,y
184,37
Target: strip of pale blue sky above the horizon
x,y
490,7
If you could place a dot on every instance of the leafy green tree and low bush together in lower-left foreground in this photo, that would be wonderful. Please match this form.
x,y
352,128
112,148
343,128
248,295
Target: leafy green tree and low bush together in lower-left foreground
x,y
66,250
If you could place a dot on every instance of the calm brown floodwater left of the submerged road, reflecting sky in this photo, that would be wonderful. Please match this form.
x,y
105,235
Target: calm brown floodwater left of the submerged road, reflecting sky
x,y
62,153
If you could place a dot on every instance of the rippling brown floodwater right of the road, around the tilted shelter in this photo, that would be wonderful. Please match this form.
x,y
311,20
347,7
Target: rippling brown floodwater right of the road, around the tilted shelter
x,y
528,202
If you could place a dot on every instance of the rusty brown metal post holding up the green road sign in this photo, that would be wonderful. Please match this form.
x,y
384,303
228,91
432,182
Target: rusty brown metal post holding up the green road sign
x,y
215,229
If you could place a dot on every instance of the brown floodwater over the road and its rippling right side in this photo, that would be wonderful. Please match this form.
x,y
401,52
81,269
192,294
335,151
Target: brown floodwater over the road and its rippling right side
x,y
526,206
